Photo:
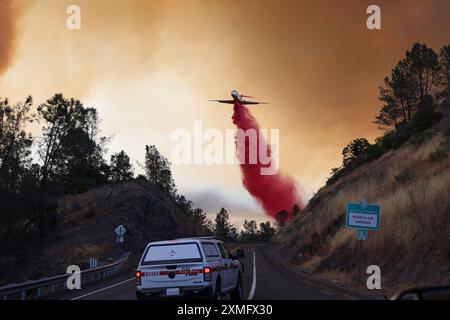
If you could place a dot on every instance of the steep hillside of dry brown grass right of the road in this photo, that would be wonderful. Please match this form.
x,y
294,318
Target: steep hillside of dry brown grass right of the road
x,y
412,247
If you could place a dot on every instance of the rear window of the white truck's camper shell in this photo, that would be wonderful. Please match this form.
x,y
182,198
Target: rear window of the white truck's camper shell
x,y
172,253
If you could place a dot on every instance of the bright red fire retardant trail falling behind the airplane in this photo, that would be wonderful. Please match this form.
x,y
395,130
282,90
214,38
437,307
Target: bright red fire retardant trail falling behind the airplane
x,y
274,192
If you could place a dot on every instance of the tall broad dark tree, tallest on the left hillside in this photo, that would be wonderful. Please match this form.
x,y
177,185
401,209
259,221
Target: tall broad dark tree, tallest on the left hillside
x,y
71,154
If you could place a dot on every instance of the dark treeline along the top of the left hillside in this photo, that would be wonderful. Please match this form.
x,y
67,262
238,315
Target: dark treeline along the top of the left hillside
x,y
68,158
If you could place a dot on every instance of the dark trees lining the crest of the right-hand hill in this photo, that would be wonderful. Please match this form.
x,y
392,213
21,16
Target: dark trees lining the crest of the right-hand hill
x,y
410,98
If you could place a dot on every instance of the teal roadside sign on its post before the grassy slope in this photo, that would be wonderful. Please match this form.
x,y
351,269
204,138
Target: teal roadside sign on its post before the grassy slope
x,y
363,217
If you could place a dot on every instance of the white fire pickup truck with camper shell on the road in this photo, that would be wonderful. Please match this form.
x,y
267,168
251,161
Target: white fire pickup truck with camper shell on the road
x,y
187,268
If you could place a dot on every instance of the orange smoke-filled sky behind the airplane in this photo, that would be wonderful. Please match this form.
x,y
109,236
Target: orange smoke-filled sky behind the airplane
x,y
149,67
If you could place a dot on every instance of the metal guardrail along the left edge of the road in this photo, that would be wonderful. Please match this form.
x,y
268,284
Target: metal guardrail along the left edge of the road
x,y
43,287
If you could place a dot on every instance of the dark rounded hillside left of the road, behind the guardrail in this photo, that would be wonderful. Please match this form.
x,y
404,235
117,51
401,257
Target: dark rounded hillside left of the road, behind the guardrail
x,y
86,229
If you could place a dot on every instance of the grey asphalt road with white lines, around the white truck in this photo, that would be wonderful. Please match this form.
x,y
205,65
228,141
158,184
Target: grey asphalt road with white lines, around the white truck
x,y
263,279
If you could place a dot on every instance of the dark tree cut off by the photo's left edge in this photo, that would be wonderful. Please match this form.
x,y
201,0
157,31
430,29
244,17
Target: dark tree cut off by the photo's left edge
x,y
16,191
